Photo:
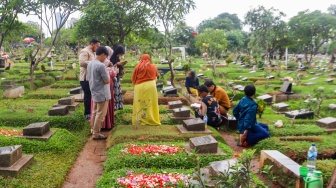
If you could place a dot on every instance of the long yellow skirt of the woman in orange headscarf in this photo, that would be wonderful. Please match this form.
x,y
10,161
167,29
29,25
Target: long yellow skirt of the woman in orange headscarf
x,y
146,104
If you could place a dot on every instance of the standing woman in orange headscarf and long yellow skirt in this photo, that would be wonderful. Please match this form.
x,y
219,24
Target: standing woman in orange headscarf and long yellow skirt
x,y
145,101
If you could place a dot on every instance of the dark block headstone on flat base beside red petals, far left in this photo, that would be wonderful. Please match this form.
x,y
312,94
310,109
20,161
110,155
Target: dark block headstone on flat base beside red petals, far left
x,y
39,131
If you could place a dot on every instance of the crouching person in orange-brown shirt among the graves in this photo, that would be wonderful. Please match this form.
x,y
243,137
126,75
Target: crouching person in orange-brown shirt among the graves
x,y
220,95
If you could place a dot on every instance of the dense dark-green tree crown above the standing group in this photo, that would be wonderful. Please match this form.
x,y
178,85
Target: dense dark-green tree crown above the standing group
x,y
116,19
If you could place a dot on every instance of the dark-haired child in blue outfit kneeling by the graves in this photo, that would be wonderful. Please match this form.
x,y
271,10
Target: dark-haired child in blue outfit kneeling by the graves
x,y
245,112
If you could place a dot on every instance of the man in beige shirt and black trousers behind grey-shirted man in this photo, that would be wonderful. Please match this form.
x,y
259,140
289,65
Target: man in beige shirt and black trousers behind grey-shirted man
x,y
85,56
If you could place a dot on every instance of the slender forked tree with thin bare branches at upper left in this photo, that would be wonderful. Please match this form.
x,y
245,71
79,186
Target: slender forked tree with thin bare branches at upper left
x,y
60,10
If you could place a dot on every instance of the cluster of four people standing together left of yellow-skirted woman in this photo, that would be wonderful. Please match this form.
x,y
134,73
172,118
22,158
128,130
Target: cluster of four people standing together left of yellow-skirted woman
x,y
100,73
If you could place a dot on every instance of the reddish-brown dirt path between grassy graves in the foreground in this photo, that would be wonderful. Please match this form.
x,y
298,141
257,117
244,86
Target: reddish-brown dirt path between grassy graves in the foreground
x,y
88,166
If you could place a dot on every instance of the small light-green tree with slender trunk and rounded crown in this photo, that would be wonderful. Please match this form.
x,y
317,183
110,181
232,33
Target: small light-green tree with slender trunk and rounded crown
x,y
212,41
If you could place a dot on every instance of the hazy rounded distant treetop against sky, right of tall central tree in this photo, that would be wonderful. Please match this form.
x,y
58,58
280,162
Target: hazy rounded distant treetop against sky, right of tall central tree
x,y
224,21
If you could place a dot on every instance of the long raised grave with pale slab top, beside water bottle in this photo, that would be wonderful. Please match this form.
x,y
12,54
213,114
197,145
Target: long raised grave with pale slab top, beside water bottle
x,y
287,170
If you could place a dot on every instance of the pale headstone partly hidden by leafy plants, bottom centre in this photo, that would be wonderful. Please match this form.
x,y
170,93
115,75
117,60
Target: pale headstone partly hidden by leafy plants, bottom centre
x,y
218,167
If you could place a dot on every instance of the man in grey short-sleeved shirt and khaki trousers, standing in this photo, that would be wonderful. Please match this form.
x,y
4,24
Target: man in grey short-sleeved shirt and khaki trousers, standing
x,y
99,82
